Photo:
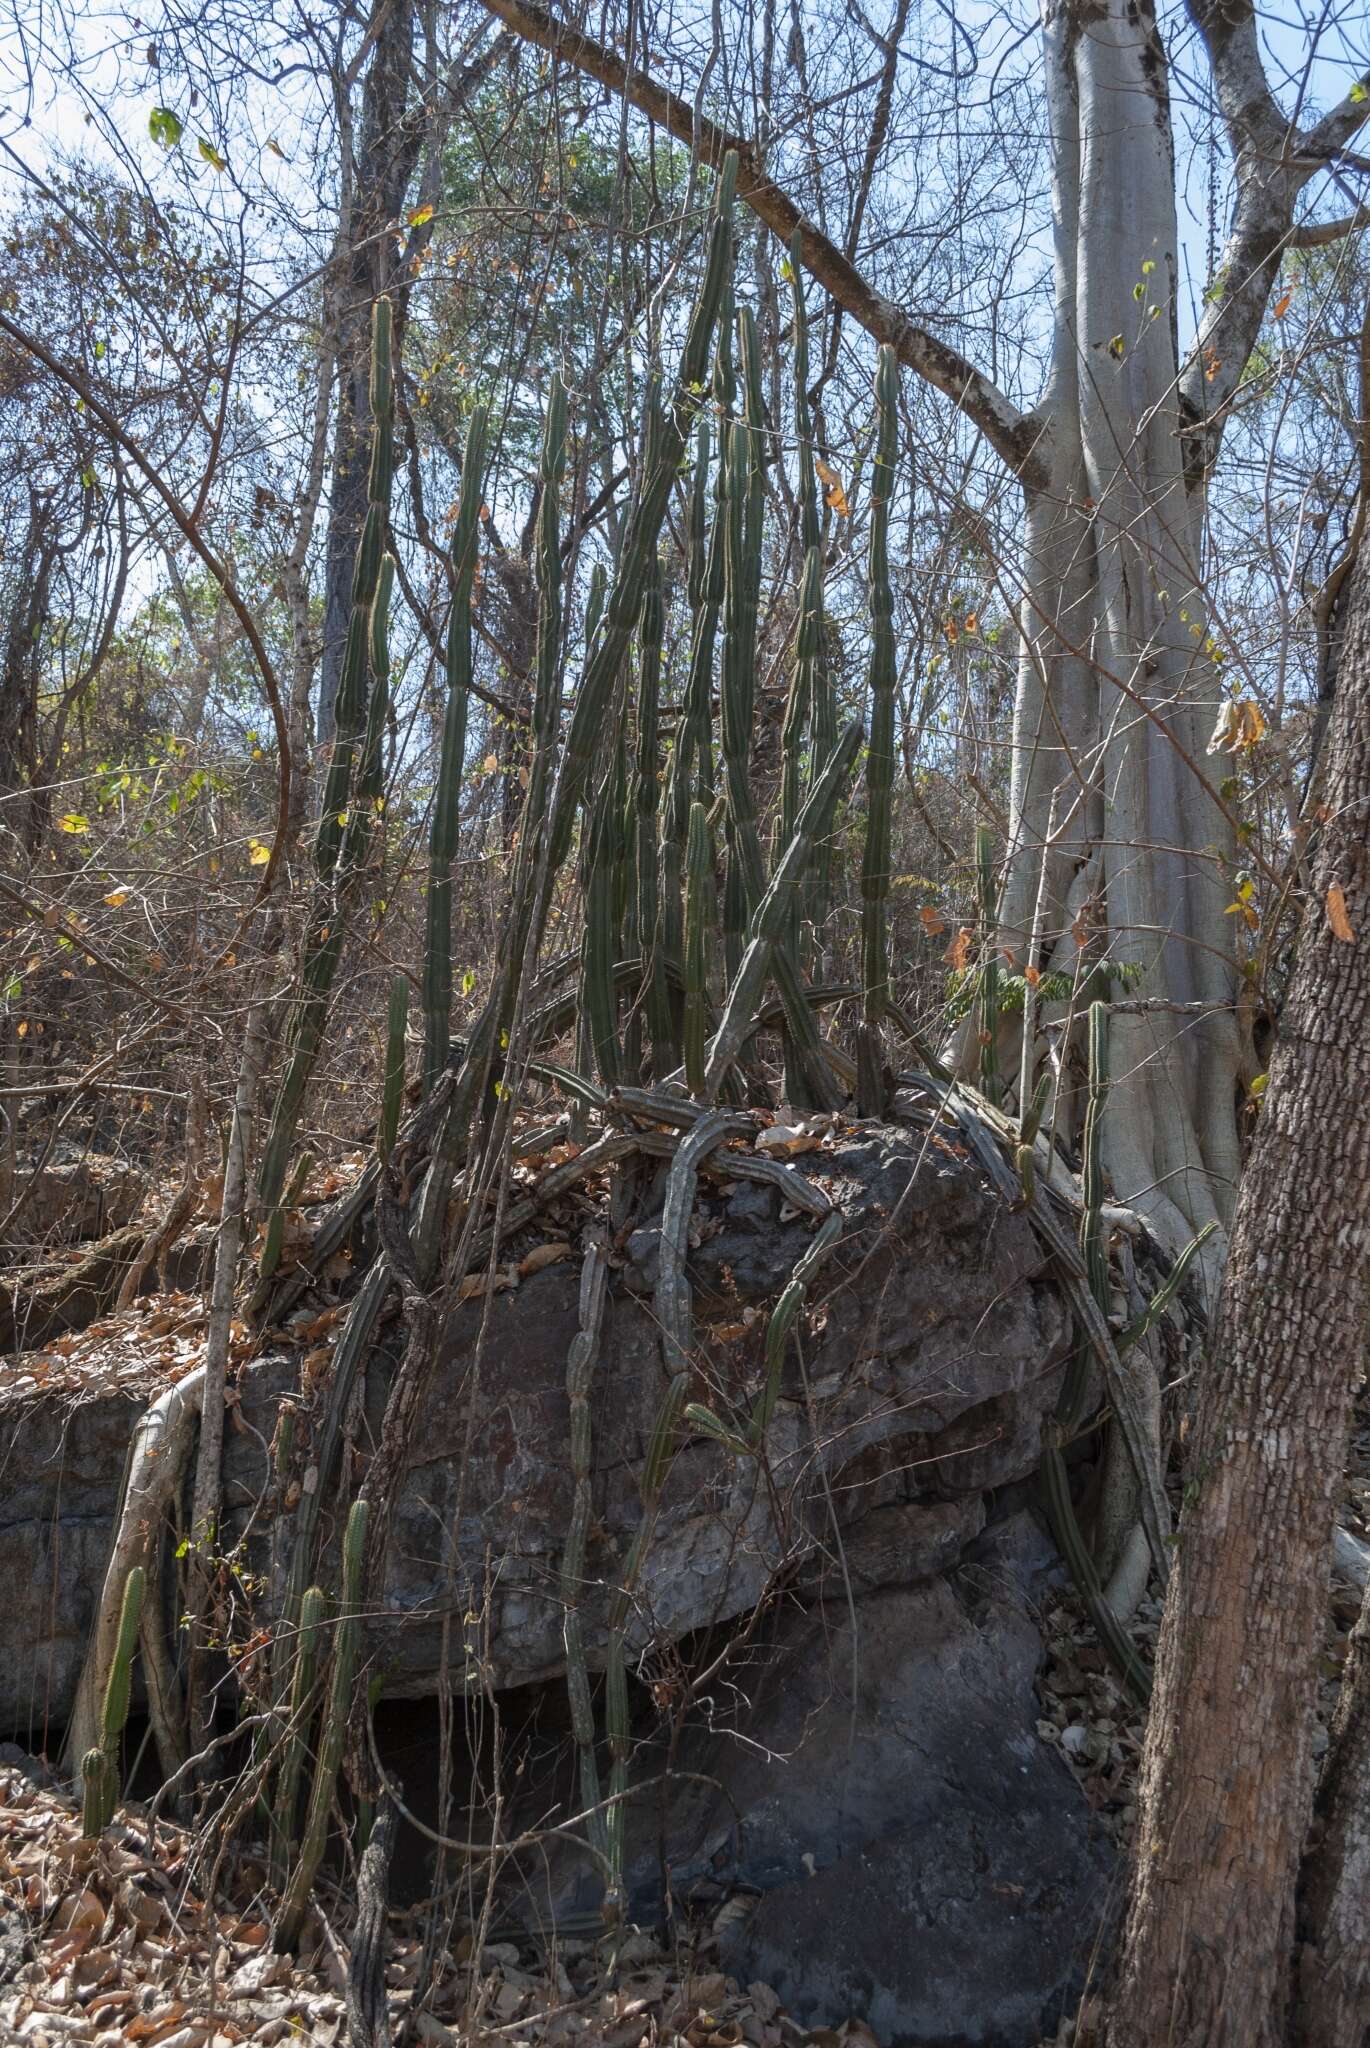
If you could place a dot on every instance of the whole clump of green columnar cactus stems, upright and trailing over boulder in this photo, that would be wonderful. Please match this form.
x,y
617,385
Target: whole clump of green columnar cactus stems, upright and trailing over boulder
x,y
656,839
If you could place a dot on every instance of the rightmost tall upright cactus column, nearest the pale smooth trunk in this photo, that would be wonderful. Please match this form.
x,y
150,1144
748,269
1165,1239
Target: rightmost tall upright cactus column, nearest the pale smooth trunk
x,y
882,751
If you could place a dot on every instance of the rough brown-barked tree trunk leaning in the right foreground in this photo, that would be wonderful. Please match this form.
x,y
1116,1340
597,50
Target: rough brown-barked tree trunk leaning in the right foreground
x,y
1228,1779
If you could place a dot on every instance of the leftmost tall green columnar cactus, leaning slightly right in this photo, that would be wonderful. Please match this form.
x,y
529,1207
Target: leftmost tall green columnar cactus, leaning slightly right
x,y
347,787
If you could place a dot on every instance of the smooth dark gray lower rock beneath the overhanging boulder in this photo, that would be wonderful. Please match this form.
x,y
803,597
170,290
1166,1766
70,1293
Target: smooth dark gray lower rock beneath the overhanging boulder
x,y
873,1777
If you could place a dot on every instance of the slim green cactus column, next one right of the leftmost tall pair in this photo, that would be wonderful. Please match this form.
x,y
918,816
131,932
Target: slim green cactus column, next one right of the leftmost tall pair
x,y
443,833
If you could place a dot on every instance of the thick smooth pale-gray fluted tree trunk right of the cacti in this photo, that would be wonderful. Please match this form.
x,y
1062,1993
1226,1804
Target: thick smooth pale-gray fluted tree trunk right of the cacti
x,y
1115,695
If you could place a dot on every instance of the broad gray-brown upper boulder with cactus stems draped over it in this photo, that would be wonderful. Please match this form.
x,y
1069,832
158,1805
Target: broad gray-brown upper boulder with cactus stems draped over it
x,y
929,1359
